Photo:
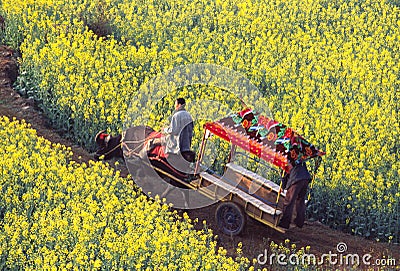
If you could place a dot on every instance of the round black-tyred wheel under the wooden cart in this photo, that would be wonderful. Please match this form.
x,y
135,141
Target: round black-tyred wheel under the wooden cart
x,y
230,218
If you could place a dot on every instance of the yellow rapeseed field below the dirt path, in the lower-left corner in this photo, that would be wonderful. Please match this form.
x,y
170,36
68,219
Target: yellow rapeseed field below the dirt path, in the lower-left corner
x,y
56,214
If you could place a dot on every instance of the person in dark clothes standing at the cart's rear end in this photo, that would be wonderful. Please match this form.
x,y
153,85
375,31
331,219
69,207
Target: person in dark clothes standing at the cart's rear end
x,y
296,182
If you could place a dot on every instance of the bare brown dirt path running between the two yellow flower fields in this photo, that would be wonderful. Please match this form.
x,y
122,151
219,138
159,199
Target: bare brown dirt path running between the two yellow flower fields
x,y
256,236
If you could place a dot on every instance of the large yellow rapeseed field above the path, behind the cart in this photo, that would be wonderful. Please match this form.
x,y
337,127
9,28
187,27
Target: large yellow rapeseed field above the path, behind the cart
x,y
329,69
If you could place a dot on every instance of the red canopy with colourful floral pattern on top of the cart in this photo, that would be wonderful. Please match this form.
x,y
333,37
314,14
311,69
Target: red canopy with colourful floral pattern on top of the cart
x,y
264,137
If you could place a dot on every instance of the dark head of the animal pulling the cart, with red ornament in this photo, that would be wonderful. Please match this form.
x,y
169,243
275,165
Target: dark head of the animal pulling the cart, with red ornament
x,y
107,146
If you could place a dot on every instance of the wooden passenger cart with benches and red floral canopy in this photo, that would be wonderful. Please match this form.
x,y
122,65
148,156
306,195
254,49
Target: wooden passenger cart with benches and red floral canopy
x,y
239,191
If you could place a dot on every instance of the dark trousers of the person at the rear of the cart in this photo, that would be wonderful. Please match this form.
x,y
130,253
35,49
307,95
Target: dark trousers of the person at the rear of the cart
x,y
295,196
